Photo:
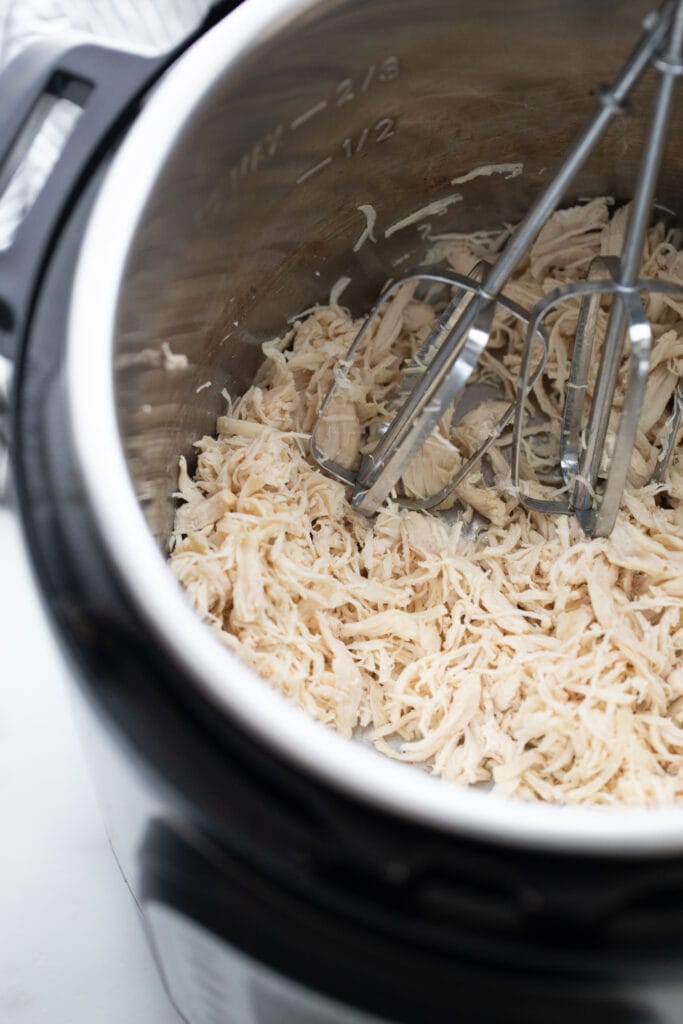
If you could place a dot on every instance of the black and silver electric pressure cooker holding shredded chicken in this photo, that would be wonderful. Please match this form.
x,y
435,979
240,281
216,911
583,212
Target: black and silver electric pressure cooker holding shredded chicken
x,y
286,876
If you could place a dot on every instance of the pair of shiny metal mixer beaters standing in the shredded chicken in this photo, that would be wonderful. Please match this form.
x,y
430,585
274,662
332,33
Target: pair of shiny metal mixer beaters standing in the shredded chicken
x,y
436,379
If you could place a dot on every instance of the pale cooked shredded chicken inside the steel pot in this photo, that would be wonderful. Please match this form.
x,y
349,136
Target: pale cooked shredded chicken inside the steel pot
x,y
524,656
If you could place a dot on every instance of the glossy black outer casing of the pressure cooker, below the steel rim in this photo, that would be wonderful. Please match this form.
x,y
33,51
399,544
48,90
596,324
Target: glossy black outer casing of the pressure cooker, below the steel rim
x,y
403,922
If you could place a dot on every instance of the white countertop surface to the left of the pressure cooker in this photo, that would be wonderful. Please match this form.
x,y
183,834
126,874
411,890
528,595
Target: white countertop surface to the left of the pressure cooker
x,y
72,949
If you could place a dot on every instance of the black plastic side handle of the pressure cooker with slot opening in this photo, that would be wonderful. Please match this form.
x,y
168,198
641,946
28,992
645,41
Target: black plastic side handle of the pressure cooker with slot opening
x,y
108,84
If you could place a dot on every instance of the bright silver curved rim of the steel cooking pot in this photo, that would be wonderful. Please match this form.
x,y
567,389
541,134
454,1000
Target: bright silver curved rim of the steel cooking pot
x,y
234,689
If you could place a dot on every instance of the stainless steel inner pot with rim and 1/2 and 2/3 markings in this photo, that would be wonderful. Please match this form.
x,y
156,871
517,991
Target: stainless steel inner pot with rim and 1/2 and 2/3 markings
x,y
233,204
